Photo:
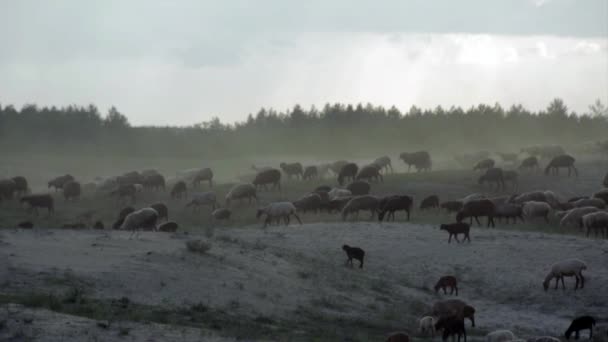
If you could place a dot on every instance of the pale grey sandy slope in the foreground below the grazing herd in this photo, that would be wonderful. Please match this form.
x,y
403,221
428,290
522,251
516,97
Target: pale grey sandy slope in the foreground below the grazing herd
x,y
282,272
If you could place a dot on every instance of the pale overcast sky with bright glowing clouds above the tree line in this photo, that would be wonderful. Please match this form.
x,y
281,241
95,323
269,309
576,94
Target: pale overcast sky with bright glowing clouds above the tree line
x,y
182,62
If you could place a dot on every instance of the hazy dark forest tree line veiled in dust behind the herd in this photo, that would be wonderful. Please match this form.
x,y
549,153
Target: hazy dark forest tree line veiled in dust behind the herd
x,y
335,129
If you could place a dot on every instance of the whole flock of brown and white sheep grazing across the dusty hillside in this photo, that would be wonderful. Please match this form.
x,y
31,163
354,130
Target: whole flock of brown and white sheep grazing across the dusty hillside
x,y
352,194
